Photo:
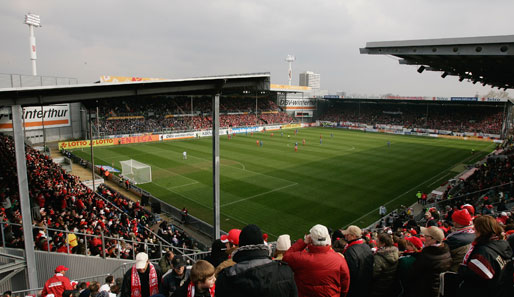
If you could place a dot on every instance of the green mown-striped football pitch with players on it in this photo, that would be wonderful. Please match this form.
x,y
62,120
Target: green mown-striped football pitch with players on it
x,y
340,181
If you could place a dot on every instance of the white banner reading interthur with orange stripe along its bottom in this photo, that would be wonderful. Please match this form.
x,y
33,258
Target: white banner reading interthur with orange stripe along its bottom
x,y
51,116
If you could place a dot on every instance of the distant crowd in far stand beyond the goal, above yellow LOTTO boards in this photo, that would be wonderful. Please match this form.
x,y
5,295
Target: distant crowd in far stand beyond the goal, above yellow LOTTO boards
x,y
128,116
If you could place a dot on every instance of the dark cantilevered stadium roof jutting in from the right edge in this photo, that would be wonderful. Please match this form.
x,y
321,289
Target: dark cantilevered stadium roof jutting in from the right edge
x,y
487,60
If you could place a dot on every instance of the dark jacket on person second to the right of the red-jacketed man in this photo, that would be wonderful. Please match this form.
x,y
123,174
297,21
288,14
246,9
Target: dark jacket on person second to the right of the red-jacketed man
x,y
385,281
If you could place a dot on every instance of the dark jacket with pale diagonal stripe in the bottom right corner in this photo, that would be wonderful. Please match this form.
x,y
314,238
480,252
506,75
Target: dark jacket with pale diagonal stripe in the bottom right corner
x,y
483,273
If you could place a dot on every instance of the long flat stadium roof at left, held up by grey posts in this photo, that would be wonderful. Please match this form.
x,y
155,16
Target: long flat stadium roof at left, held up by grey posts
x,y
100,91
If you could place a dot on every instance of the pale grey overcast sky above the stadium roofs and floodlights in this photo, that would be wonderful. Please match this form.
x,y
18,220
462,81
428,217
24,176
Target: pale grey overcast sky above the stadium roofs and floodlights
x,y
177,39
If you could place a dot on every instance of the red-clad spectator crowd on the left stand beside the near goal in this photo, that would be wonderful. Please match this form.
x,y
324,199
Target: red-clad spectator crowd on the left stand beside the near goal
x,y
69,217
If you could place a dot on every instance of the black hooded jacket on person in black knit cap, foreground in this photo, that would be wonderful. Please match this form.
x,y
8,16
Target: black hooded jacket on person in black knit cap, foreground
x,y
255,274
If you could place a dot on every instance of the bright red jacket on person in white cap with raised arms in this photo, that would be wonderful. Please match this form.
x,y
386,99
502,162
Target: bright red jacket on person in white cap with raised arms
x,y
318,270
